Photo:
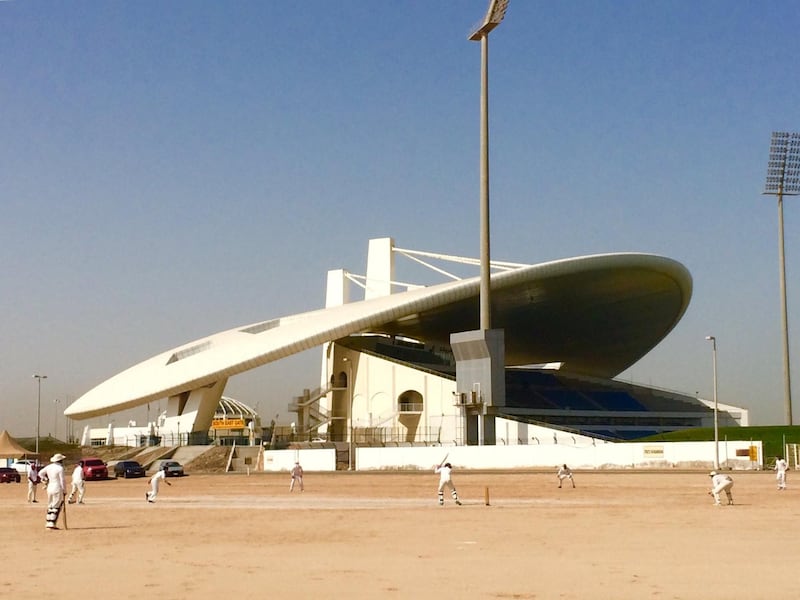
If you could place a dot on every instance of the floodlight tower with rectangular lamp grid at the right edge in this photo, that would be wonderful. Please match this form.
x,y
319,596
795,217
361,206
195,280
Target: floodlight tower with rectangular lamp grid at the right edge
x,y
783,178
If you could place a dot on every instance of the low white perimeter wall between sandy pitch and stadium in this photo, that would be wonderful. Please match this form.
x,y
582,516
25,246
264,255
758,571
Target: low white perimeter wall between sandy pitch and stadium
x,y
602,456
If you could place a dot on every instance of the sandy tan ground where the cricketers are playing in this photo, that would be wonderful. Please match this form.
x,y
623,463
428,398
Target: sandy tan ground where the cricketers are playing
x,y
382,535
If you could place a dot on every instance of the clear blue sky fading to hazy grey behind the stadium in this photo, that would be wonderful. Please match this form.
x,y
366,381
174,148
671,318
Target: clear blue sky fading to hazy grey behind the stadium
x,y
169,170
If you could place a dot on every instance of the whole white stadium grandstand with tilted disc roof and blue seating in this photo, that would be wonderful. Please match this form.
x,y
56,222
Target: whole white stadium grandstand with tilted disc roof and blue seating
x,y
388,372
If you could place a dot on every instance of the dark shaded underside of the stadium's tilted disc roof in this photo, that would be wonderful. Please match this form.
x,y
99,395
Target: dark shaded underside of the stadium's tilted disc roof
x,y
597,323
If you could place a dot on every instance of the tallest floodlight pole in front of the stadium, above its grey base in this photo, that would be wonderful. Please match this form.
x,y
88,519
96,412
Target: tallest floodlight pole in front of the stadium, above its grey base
x,y
494,15
